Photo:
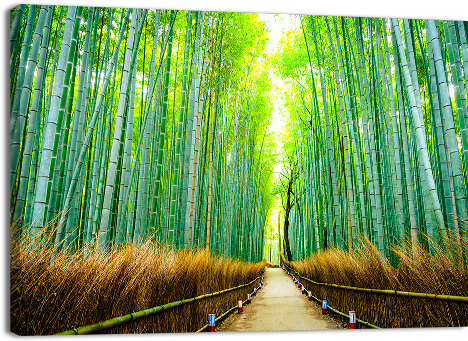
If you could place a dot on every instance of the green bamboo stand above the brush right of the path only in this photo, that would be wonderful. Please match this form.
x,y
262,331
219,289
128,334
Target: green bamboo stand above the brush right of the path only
x,y
377,135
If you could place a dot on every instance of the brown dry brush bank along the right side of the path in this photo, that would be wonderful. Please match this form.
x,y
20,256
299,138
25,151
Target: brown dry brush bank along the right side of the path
x,y
416,271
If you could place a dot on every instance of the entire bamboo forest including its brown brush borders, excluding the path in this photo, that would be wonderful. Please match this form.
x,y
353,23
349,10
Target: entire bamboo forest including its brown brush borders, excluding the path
x,y
162,155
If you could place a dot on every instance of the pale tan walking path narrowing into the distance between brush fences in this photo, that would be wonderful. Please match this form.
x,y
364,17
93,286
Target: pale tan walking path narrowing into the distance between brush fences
x,y
278,306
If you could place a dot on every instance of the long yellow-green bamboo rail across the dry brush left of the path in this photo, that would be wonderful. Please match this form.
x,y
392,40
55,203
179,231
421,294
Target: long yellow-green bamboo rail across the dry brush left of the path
x,y
142,313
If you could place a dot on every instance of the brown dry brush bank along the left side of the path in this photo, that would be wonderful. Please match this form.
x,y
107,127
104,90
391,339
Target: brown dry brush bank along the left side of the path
x,y
53,294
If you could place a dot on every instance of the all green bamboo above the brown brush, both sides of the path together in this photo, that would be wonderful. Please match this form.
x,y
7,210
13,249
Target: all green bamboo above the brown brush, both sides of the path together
x,y
129,124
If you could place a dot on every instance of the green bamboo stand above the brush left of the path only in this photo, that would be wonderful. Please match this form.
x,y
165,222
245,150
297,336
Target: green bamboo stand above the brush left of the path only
x,y
125,125
